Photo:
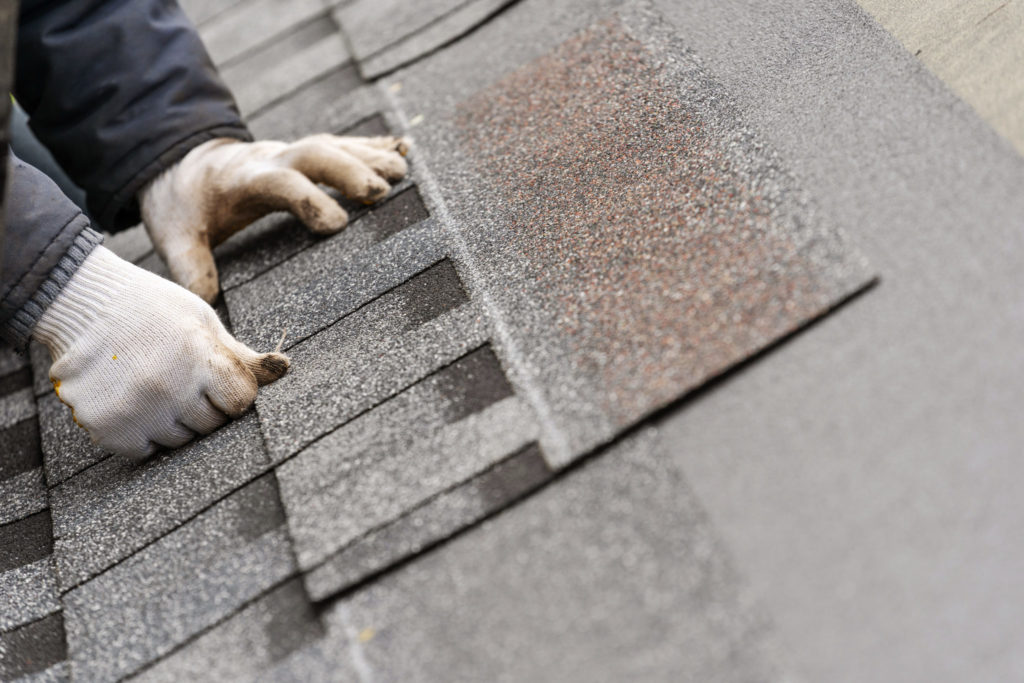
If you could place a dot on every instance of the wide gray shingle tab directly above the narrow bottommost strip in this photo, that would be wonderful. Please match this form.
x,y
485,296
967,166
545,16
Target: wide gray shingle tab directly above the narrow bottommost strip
x,y
402,453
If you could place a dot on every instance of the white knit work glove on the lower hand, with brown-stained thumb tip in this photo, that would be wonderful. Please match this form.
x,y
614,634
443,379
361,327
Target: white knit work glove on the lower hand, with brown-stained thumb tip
x,y
143,362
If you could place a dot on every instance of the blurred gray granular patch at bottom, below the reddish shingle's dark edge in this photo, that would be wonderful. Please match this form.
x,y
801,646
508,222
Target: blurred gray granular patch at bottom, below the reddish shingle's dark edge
x,y
611,574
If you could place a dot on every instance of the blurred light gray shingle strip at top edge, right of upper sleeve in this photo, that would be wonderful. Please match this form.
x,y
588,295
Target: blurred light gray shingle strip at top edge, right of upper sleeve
x,y
250,25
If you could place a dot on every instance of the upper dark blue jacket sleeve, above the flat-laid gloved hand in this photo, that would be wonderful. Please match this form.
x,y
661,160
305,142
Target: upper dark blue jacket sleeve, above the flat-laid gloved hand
x,y
118,91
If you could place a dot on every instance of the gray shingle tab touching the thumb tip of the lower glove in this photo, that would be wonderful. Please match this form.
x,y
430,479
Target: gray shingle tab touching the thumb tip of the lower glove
x,y
368,357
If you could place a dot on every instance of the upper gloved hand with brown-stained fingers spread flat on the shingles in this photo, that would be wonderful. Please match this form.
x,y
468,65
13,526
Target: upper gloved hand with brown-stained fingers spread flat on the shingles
x,y
224,186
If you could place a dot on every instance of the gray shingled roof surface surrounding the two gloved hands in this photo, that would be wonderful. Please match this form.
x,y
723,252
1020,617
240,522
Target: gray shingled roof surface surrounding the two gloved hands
x,y
602,392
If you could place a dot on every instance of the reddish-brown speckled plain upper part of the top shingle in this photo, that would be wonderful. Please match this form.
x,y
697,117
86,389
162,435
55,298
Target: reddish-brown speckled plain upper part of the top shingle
x,y
635,239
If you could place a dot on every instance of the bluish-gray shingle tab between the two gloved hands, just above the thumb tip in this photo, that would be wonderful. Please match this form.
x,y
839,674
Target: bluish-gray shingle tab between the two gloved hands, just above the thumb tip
x,y
323,284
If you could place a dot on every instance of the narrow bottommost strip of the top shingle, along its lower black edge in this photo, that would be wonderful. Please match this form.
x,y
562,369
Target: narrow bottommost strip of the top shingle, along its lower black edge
x,y
433,522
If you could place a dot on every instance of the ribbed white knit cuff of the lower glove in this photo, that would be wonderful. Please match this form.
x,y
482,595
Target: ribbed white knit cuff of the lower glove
x,y
83,301
